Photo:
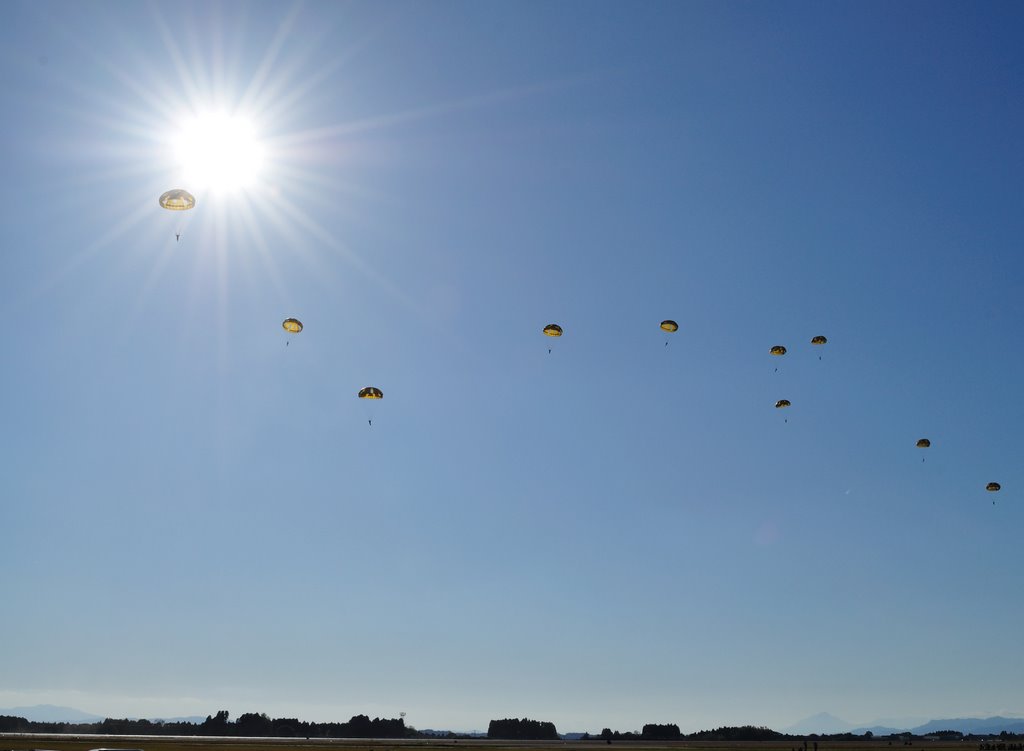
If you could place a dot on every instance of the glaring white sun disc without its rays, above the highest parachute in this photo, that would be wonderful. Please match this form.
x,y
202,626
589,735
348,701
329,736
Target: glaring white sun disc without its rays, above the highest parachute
x,y
219,152
